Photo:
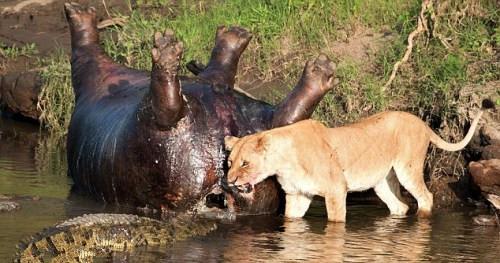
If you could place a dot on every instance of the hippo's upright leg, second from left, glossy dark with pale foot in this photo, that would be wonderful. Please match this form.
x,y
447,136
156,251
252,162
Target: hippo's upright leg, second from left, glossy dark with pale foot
x,y
165,92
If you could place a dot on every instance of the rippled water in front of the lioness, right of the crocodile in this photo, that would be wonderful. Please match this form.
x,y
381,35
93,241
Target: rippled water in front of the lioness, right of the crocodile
x,y
368,236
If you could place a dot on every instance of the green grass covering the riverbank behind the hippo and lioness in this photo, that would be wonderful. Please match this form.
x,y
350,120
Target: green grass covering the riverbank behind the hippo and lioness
x,y
427,84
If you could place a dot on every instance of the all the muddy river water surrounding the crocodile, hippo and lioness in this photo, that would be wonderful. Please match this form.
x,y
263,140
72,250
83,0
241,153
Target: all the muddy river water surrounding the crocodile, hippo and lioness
x,y
31,167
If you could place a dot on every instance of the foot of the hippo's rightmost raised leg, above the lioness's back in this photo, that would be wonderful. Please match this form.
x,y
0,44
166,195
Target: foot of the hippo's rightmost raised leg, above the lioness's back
x,y
319,74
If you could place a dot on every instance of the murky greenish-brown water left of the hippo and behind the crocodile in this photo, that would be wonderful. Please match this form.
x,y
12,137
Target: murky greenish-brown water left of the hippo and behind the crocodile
x,y
33,166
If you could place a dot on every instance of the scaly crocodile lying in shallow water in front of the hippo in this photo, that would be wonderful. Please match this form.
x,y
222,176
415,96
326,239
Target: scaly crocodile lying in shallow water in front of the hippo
x,y
86,237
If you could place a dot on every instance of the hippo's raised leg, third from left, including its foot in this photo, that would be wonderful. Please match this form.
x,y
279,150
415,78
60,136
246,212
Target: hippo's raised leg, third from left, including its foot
x,y
229,45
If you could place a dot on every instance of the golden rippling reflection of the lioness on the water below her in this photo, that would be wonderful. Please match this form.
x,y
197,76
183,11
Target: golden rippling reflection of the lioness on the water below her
x,y
315,239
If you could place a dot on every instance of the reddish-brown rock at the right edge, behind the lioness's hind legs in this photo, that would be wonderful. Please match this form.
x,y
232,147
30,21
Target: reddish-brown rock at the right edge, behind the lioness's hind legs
x,y
486,175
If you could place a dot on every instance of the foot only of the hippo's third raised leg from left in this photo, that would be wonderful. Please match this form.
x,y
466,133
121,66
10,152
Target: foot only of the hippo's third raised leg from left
x,y
234,38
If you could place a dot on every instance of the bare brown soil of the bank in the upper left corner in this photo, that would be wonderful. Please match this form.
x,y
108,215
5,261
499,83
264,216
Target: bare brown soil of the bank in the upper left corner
x,y
41,22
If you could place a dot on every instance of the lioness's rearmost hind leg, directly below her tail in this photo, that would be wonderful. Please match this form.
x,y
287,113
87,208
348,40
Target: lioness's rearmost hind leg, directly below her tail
x,y
411,176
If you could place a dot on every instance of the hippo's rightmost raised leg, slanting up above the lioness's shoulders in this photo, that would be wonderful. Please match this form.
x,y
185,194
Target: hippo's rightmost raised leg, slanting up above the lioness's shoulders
x,y
317,79
